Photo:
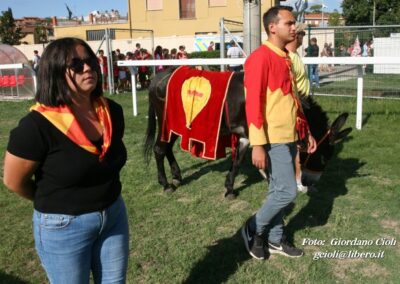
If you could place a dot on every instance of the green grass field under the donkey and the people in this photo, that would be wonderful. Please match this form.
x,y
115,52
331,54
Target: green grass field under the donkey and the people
x,y
192,236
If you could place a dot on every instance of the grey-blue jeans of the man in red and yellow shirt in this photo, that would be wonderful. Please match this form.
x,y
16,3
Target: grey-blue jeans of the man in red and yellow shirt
x,y
281,192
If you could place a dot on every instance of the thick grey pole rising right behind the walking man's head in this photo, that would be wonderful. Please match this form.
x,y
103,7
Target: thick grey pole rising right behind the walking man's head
x,y
251,25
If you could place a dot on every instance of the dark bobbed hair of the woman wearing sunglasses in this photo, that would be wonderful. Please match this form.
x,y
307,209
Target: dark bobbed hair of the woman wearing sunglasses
x,y
53,89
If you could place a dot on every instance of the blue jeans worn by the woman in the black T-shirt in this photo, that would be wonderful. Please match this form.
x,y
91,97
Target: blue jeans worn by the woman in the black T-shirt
x,y
70,246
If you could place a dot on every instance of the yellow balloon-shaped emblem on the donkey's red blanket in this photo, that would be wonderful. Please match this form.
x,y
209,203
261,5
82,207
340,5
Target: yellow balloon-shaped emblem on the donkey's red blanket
x,y
195,94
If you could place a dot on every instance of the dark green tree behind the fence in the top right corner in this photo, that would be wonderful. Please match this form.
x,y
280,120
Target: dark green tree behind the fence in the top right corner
x,y
360,12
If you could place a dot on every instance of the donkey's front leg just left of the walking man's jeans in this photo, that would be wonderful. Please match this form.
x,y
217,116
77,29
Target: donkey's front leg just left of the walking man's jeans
x,y
241,149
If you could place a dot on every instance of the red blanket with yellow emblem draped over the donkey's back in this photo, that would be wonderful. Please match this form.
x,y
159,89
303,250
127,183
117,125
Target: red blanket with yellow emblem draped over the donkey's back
x,y
193,110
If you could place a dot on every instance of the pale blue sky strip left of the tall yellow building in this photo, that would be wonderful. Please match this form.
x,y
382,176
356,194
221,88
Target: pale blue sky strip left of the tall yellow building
x,y
49,8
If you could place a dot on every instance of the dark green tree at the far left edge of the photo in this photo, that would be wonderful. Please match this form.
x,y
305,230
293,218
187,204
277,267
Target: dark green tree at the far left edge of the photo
x,y
9,32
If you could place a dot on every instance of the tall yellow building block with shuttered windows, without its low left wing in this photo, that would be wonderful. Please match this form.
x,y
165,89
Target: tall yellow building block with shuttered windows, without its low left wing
x,y
187,17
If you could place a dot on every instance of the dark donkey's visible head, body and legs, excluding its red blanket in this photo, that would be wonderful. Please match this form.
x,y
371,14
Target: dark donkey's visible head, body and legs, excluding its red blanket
x,y
312,165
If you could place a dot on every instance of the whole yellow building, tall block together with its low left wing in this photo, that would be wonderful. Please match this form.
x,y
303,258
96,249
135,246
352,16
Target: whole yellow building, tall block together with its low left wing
x,y
165,18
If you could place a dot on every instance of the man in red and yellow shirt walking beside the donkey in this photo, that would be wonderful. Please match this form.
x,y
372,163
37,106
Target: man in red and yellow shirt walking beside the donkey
x,y
272,110
